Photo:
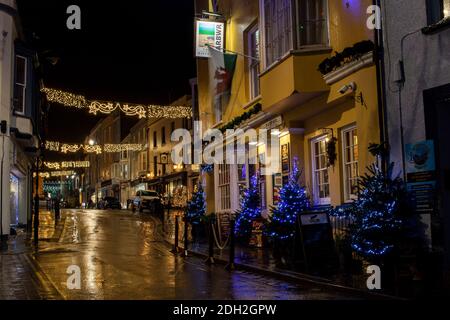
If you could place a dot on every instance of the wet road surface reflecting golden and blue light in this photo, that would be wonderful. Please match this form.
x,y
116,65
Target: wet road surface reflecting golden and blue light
x,y
121,256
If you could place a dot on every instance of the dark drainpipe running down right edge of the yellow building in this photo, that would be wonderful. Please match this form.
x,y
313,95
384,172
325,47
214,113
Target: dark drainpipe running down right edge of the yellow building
x,y
381,88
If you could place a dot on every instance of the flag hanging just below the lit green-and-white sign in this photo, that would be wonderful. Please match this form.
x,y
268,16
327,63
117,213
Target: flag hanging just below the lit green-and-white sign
x,y
221,70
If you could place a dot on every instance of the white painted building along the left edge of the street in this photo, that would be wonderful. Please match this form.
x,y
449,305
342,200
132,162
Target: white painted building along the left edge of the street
x,y
20,116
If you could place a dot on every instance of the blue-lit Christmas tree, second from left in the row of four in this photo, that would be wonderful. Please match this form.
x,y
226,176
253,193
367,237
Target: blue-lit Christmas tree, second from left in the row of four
x,y
250,210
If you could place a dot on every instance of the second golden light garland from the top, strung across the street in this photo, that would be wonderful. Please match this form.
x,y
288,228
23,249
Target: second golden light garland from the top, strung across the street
x,y
66,148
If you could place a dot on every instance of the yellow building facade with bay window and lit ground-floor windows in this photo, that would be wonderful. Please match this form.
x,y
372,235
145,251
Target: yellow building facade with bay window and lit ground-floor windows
x,y
313,113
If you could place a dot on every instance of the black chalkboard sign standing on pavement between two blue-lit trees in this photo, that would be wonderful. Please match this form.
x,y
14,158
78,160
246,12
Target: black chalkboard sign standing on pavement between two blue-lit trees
x,y
317,240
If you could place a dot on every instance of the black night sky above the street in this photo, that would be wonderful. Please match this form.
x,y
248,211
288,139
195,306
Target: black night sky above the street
x,y
131,51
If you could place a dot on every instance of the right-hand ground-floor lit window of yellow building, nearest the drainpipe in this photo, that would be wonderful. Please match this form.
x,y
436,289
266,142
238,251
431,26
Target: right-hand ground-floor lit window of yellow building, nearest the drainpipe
x,y
350,159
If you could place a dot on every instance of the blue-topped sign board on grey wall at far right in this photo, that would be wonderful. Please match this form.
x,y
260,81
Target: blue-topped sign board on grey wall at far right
x,y
421,175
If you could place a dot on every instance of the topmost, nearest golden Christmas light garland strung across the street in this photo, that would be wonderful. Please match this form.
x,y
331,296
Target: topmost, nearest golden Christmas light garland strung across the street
x,y
142,111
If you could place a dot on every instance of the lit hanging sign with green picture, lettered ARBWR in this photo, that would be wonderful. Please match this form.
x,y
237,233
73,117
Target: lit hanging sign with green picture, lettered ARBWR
x,y
208,33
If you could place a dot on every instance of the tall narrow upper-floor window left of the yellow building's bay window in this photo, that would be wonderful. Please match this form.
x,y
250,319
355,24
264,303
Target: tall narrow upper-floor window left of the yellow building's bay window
x,y
253,64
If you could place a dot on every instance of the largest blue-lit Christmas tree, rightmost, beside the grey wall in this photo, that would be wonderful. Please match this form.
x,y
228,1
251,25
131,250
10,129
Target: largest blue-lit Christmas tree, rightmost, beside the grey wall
x,y
380,218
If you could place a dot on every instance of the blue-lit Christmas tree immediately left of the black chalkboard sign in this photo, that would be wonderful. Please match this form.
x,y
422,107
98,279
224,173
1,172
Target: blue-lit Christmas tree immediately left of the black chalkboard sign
x,y
293,201
